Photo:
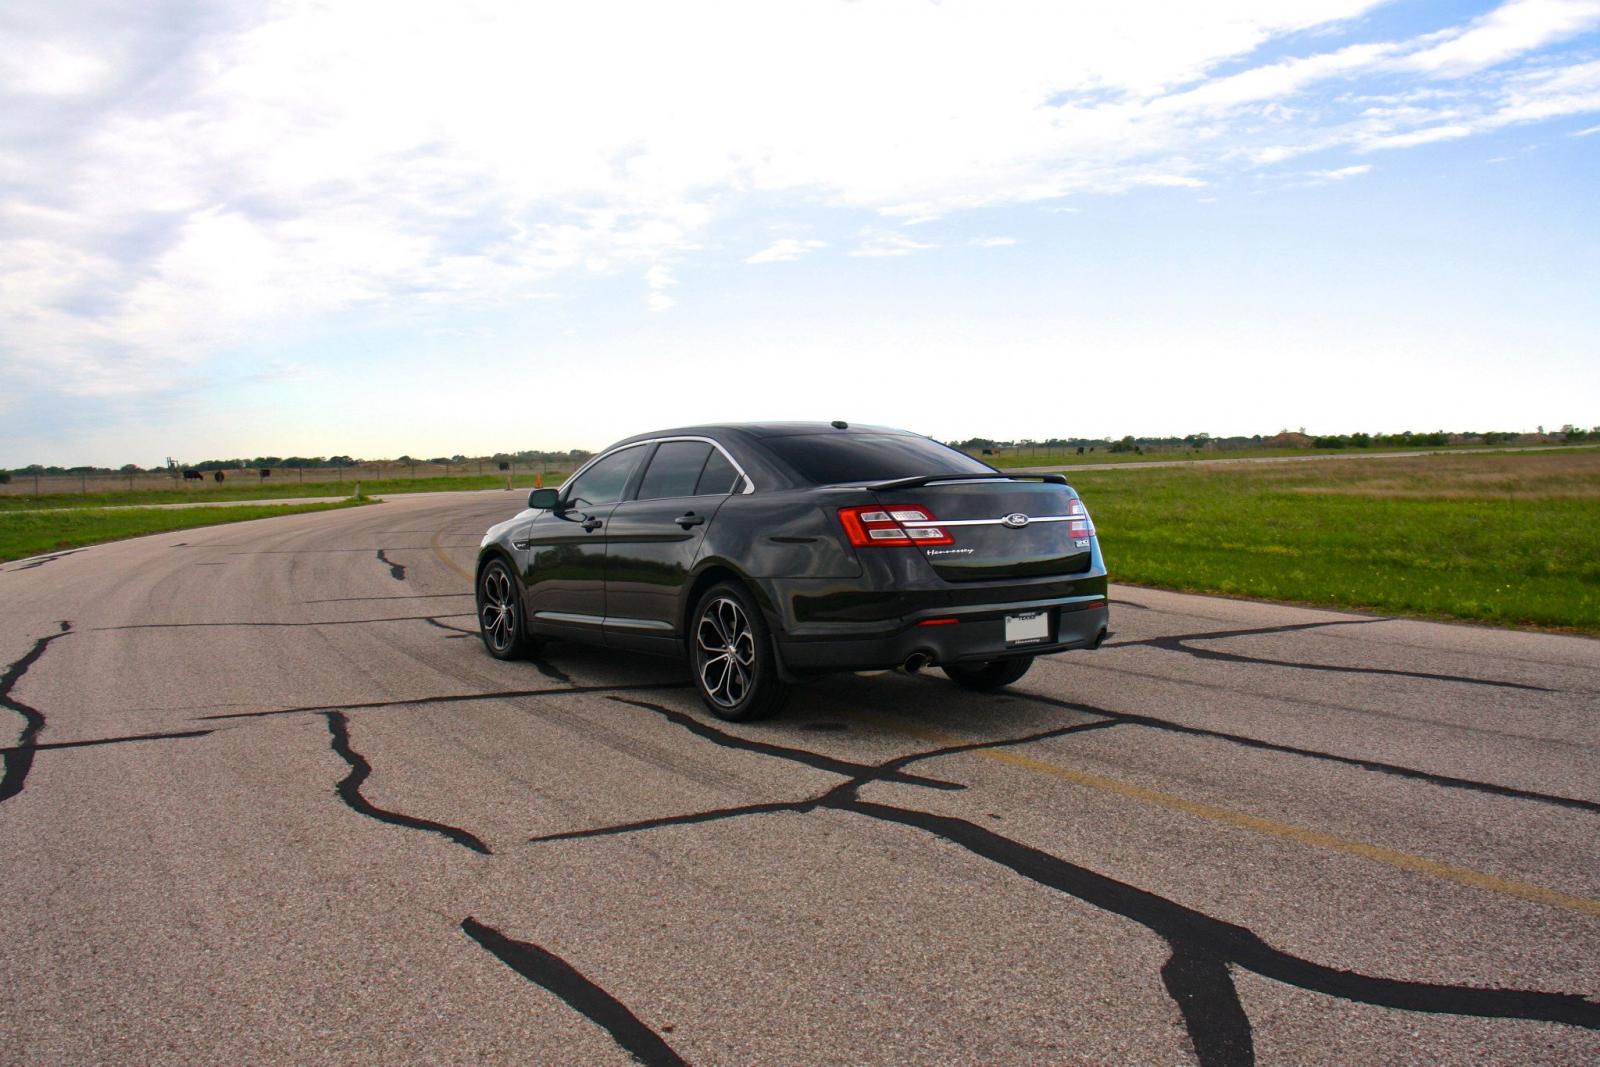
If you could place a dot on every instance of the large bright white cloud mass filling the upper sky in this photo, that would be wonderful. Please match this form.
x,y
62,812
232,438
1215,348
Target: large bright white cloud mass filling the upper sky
x,y
177,186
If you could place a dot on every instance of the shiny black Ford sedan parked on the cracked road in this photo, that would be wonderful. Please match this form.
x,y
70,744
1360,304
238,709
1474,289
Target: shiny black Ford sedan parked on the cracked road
x,y
769,553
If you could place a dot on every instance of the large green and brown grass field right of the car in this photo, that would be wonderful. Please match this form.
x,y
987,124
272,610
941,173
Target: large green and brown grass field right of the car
x,y
1497,538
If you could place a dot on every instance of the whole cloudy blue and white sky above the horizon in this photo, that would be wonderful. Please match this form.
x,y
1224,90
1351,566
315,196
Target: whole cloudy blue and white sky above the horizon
x,y
415,228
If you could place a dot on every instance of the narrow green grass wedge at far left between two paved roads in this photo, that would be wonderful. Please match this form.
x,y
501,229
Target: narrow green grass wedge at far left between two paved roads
x,y
36,533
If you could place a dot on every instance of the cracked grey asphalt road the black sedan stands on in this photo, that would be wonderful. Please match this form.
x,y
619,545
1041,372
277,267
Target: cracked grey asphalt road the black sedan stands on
x,y
268,801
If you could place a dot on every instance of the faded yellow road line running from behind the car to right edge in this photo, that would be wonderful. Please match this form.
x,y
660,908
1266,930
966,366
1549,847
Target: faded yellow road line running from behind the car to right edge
x,y
1271,828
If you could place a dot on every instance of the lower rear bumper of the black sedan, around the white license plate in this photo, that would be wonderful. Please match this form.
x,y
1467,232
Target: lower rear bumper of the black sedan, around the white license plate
x,y
975,637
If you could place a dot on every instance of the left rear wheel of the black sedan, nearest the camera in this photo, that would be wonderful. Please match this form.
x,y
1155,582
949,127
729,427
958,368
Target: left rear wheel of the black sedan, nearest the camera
x,y
732,657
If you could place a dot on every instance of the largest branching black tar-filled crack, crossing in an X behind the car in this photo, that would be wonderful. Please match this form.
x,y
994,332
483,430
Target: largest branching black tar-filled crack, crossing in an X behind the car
x,y
1204,949
